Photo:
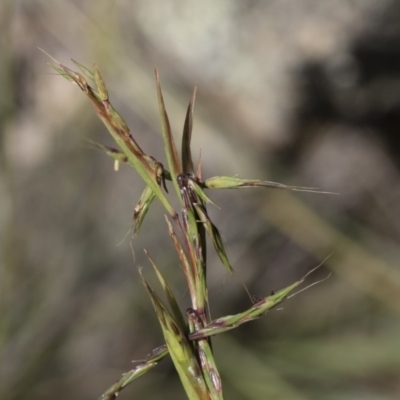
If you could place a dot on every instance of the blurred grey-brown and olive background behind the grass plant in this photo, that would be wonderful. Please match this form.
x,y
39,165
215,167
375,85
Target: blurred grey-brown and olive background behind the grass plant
x,y
300,92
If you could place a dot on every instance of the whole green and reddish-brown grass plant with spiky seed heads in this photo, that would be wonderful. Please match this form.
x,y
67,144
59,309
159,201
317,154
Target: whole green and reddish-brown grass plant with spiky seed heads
x,y
187,335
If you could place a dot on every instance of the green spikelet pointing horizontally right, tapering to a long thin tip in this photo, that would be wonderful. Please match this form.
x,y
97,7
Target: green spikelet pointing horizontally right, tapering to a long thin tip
x,y
231,182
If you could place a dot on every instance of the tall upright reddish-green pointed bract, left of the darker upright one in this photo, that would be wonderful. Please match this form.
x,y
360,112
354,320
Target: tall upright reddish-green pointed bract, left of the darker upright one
x,y
174,164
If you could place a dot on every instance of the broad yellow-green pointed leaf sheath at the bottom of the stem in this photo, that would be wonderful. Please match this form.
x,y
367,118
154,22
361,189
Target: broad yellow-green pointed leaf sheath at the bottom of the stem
x,y
181,351
